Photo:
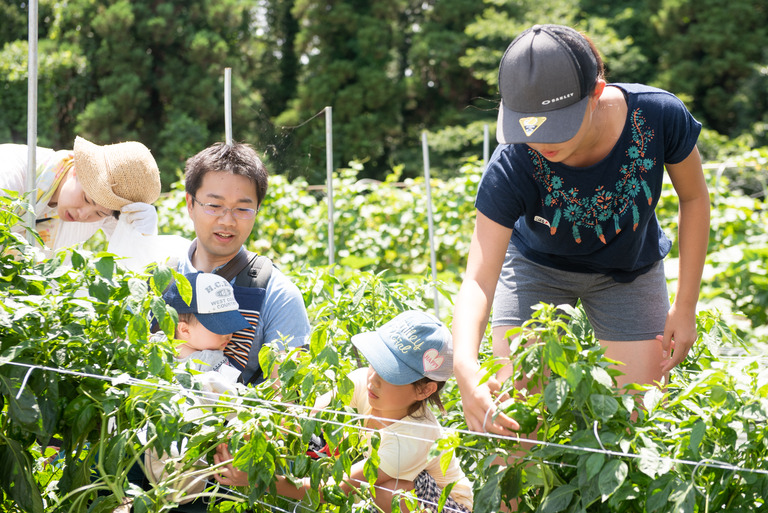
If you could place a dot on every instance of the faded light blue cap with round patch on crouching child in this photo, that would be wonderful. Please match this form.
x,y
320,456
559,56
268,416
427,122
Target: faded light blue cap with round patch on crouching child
x,y
411,346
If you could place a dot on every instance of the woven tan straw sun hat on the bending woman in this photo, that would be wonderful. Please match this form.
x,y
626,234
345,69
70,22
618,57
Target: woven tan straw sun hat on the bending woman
x,y
115,175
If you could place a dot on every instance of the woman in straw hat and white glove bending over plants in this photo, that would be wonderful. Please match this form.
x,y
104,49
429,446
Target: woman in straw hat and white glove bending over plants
x,y
81,191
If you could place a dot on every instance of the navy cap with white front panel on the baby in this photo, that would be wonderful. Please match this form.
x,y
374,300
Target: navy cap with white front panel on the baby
x,y
213,303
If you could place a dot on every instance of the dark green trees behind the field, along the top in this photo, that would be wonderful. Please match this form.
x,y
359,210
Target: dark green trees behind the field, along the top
x,y
114,70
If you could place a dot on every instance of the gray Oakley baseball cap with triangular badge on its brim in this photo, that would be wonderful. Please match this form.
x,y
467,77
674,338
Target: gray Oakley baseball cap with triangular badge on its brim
x,y
545,79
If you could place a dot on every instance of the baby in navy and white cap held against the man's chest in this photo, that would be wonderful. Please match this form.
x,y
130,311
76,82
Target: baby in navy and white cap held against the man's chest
x,y
206,324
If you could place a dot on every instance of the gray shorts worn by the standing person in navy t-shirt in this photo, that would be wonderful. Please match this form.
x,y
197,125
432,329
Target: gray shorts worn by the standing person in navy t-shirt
x,y
617,311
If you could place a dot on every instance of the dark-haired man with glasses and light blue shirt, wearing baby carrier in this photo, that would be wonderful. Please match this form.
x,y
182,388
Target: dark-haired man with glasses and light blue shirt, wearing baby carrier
x,y
225,186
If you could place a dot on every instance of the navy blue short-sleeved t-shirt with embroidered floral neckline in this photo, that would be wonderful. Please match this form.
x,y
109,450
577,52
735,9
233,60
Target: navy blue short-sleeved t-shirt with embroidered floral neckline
x,y
599,218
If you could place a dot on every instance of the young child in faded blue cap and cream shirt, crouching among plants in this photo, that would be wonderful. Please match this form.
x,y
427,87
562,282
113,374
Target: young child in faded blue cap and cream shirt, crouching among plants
x,y
411,358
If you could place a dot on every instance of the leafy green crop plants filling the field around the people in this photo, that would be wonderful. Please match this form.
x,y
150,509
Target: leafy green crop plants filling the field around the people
x,y
85,395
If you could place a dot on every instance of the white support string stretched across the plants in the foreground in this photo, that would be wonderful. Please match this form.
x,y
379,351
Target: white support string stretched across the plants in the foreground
x,y
226,400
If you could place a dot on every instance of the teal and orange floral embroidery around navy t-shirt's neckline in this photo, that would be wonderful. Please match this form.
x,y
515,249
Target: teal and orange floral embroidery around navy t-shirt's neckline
x,y
603,209
